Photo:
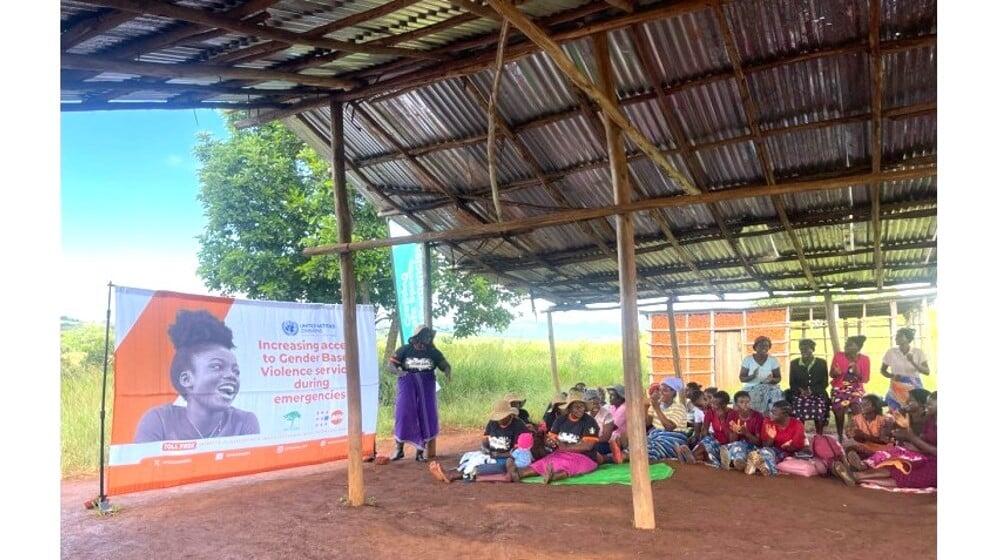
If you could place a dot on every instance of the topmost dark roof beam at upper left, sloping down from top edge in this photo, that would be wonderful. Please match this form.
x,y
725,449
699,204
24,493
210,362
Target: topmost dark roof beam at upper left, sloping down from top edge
x,y
209,19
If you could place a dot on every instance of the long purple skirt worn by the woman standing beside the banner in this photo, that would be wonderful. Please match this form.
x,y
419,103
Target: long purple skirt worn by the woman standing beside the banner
x,y
416,409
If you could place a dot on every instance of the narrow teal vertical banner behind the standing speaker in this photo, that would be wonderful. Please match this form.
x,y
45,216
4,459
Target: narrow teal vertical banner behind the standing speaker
x,y
408,276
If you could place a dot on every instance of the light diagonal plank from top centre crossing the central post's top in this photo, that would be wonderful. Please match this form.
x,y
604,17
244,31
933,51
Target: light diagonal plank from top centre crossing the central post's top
x,y
607,102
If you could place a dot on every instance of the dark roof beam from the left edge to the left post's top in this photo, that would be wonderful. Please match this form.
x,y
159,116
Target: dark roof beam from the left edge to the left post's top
x,y
186,70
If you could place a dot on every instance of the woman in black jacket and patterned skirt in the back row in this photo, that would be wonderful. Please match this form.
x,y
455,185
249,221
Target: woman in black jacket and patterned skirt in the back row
x,y
808,378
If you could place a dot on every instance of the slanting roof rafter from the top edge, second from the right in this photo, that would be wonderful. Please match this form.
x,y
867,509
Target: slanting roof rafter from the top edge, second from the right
x,y
752,114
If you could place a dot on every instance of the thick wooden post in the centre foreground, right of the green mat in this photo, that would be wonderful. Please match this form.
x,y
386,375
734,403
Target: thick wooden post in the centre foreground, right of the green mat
x,y
642,490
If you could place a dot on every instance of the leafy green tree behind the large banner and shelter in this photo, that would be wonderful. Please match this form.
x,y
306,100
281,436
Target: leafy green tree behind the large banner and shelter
x,y
267,195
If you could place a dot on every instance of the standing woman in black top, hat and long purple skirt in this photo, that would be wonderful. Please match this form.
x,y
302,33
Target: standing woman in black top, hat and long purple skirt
x,y
416,396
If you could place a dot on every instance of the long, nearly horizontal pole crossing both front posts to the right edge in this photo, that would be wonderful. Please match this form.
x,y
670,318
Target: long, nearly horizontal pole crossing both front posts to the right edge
x,y
570,216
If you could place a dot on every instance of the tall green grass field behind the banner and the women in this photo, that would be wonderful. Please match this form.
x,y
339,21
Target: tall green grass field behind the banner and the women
x,y
484,369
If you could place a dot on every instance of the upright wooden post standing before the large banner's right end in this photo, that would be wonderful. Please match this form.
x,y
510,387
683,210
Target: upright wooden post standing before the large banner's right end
x,y
355,477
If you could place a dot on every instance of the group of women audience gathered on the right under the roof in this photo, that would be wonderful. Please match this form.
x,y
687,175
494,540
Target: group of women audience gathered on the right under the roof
x,y
753,431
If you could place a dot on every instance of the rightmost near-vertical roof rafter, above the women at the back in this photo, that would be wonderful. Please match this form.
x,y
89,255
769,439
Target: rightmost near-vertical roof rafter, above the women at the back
x,y
875,189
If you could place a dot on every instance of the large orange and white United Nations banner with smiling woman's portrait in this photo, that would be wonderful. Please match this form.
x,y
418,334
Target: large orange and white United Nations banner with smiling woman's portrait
x,y
212,387
